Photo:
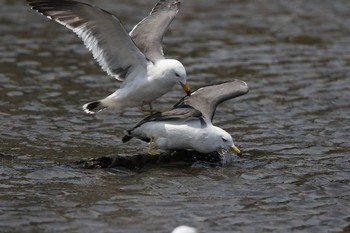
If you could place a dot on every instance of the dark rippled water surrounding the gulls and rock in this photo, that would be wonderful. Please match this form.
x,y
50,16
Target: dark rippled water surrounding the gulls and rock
x,y
293,125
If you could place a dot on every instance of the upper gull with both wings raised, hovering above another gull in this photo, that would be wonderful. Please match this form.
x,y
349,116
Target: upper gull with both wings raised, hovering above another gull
x,y
136,58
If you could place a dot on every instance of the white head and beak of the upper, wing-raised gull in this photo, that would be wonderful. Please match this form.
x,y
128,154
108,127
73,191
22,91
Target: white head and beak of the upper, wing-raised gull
x,y
175,72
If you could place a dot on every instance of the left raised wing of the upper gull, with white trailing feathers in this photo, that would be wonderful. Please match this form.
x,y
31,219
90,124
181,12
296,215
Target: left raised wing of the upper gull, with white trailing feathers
x,y
102,33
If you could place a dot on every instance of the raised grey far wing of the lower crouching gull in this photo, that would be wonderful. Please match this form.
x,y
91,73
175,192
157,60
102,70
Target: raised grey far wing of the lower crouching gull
x,y
206,99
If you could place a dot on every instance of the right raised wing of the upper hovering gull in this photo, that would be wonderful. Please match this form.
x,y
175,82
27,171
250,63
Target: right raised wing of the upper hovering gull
x,y
148,34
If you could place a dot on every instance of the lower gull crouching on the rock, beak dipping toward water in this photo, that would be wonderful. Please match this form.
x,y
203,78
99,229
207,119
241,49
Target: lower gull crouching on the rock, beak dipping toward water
x,y
188,126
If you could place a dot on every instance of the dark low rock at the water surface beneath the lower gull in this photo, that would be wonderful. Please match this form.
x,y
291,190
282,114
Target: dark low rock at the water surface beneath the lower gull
x,y
142,160
